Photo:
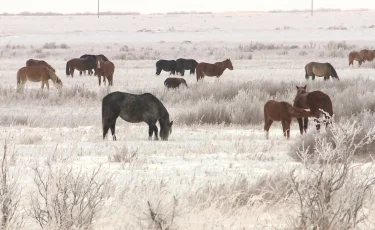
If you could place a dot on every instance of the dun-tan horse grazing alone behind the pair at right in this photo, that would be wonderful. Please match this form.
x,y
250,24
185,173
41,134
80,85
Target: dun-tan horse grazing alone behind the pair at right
x,y
320,70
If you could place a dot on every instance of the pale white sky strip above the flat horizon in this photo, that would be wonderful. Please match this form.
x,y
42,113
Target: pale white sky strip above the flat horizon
x,y
152,6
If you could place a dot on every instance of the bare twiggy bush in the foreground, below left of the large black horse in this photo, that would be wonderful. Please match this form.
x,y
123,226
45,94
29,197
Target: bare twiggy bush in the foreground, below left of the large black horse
x,y
65,200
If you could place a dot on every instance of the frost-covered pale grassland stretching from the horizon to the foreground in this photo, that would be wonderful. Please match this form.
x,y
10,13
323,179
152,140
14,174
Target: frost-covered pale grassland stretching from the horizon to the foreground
x,y
217,170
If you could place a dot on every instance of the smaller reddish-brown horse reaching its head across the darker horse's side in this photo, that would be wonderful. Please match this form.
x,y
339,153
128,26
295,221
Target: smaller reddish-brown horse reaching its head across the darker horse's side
x,y
284,112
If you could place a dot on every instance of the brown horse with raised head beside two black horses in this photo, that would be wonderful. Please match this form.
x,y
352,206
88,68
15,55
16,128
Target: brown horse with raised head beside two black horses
x,y
212,70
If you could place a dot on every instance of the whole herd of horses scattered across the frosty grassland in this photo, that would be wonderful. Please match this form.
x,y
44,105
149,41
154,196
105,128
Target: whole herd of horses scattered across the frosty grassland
x,y
147,108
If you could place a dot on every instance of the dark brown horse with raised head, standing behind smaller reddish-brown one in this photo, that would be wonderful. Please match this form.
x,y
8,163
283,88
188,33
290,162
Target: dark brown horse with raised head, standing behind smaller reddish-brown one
x,y
316,101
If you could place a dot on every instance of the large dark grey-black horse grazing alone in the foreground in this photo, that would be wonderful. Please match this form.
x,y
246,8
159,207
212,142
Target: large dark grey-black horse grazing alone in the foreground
x,y
135,109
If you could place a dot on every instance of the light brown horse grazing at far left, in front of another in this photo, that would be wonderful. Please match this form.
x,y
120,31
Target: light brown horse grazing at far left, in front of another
x,y
37,74
